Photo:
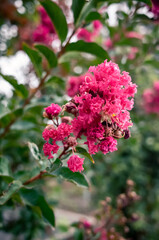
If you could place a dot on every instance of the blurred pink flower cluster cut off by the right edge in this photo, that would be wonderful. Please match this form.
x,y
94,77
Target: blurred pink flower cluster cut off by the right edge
x,y
151,99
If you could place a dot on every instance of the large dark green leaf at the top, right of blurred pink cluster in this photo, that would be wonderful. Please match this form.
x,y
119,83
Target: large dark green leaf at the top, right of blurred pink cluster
x,y
57,17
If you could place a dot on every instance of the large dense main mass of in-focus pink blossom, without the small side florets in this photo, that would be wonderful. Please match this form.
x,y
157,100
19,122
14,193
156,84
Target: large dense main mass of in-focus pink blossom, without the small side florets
x,y
103,107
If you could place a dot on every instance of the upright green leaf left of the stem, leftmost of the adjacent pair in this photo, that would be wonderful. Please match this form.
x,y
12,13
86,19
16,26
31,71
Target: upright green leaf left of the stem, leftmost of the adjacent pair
x,y
35,58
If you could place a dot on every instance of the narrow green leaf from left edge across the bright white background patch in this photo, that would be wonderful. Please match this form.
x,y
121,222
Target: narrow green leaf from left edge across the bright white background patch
x,y
19,88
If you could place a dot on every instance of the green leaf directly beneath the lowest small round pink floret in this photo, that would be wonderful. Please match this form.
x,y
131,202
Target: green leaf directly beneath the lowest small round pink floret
x,y
75,177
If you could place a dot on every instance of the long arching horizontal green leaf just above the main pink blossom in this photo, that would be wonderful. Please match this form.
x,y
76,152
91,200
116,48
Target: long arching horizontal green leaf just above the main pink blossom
x,y
88,47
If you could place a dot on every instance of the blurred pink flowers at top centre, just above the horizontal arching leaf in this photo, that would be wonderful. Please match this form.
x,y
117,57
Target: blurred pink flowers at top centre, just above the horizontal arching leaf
x,y
84,34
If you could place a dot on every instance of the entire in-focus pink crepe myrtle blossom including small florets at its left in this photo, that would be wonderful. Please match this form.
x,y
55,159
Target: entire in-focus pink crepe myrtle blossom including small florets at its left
x,y
99,112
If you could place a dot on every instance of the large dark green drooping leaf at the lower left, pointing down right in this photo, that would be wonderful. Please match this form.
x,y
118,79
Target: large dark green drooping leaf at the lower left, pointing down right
x,y
32,197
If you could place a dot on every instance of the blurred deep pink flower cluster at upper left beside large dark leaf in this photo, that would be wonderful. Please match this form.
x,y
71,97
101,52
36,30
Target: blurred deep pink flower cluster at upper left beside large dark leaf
x,y
45,31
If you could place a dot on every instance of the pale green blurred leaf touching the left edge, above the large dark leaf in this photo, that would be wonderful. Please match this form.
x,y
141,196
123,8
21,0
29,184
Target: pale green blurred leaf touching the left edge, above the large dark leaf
x,y
12,188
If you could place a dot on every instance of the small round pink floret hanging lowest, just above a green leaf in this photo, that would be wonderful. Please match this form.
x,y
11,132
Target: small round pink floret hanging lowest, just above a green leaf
x,y
75,163
